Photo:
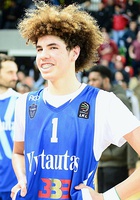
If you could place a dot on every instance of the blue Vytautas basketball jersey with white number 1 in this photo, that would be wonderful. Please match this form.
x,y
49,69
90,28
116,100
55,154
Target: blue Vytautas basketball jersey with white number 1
x,y
59,146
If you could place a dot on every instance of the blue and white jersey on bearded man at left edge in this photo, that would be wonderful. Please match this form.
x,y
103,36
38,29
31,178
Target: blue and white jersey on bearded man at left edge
x,y
7,176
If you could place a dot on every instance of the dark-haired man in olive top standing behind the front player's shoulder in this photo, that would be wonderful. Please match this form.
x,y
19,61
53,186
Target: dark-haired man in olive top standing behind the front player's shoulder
x,y
115,164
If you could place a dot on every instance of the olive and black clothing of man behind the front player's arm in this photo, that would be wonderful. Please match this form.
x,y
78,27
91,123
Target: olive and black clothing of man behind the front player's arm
x,y
116,161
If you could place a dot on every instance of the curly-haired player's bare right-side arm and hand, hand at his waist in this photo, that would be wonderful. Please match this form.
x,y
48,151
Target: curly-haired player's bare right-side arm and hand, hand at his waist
x,y
131,185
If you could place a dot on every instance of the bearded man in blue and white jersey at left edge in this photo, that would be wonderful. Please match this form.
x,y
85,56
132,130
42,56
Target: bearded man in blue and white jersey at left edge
x,y
8,96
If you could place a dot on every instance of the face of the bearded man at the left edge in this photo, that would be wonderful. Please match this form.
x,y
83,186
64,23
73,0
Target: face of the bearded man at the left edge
x,y
8,74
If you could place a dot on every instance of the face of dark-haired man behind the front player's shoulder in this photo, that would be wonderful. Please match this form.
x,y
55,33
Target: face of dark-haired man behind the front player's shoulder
x,y
95,80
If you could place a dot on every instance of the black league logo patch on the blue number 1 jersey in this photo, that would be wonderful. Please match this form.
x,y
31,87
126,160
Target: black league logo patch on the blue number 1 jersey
x,y
84,109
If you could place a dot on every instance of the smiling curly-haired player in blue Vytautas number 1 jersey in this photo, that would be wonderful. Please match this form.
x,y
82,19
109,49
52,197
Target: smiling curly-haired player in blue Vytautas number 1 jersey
x,y
62,130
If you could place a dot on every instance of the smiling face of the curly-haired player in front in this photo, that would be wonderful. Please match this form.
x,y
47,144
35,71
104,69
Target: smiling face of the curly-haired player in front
x,y
53,59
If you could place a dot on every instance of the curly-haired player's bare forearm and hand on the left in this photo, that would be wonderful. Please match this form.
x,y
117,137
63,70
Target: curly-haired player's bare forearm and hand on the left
x,y
19,168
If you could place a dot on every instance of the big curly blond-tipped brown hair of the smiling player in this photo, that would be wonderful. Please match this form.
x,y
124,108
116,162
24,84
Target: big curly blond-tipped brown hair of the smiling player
x,y
72,25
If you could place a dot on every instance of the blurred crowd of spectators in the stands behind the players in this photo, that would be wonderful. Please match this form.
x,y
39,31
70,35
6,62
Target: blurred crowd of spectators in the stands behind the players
x,y
119,21
